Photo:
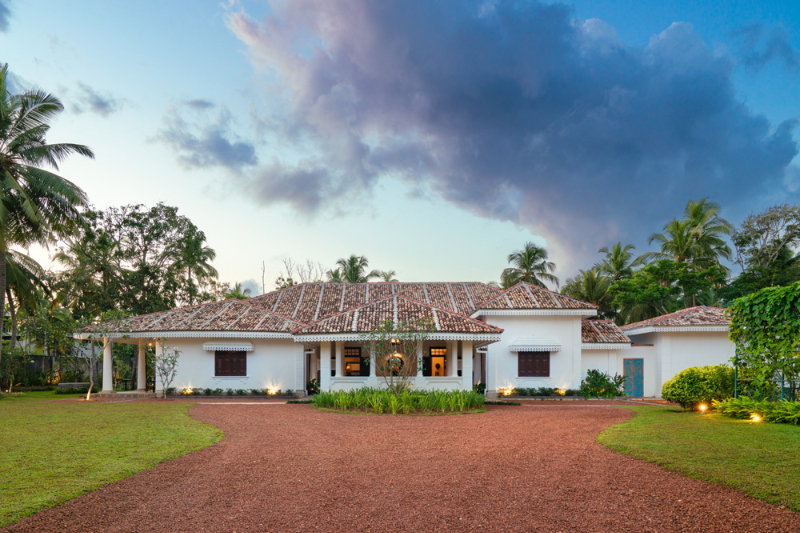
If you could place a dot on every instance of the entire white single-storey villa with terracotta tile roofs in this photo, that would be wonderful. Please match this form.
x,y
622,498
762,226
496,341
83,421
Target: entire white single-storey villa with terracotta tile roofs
x,y
526,336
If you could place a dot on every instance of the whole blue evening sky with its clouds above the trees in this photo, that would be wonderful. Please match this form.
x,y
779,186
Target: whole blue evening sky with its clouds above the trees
x,y
432,137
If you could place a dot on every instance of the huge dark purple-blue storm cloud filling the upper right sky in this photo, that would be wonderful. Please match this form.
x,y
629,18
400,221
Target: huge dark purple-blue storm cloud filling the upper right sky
x,y
513,110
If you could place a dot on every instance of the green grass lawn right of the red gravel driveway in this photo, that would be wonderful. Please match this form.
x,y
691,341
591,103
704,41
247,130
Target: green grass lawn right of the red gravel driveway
x,y
757,458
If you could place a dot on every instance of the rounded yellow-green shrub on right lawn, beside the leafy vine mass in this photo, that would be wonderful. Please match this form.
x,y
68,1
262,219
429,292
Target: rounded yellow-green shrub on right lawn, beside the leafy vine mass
x,y
699,384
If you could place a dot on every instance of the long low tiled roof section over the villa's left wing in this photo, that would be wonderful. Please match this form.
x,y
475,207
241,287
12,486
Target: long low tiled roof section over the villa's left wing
x,y
228,315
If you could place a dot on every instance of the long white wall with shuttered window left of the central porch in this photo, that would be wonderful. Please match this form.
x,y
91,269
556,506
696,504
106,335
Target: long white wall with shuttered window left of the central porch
x,y
273,364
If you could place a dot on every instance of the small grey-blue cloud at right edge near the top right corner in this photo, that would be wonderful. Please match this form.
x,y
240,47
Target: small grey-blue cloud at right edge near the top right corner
x,y
759,45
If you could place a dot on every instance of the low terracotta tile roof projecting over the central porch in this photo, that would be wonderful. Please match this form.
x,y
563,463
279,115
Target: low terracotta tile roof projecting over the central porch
x,y
369,316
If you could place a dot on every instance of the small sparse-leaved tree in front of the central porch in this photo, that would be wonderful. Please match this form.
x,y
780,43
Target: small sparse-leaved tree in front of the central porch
x,y
393,348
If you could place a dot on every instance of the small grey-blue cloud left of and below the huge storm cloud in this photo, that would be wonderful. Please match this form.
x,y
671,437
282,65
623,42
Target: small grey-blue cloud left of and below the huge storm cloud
x,y
211,144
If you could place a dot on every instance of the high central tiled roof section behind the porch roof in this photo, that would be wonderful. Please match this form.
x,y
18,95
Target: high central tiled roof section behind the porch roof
x,y
309,302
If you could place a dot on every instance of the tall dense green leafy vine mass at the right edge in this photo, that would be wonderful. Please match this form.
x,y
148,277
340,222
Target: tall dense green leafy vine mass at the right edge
x,y
765,326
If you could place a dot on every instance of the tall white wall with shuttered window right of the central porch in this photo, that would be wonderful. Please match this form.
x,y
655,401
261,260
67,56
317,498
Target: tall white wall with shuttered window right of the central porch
x,y
565,364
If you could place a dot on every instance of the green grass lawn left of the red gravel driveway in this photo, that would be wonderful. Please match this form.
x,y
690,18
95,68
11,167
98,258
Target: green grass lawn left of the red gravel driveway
x,y
51,452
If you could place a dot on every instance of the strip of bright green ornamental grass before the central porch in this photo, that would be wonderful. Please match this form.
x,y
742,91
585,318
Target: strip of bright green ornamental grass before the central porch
x,y
407,402
